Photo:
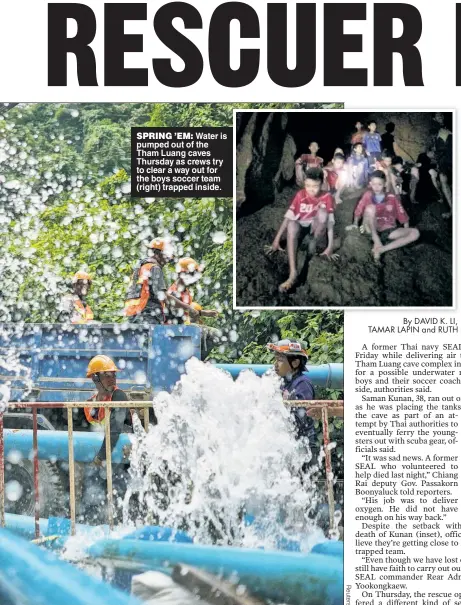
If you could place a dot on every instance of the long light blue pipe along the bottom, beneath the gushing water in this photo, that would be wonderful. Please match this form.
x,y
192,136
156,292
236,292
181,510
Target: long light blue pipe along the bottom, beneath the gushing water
x,y
279,576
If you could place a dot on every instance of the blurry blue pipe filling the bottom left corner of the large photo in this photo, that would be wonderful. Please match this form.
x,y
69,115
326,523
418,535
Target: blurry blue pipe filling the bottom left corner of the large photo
x,y
31,576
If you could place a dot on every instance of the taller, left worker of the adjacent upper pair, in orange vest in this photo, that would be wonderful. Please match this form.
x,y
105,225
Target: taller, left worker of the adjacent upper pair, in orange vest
x,y
147,295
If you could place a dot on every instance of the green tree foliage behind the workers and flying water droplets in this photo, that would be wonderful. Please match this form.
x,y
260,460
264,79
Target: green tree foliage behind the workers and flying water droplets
x,y
97,226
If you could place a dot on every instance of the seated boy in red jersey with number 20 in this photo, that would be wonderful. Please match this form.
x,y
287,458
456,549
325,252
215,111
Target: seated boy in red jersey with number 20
x,y
311,212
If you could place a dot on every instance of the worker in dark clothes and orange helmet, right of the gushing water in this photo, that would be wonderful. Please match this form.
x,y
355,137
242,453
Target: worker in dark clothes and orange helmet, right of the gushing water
x,y
290,365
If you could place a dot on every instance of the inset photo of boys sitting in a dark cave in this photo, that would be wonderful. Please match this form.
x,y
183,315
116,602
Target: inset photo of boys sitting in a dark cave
x,y
339,208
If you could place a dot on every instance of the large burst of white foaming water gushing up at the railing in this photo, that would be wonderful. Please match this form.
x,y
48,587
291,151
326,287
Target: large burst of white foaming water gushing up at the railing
x,y
221,449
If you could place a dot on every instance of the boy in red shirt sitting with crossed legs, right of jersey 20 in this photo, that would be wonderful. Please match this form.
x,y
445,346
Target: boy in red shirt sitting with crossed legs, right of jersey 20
x,y
380,211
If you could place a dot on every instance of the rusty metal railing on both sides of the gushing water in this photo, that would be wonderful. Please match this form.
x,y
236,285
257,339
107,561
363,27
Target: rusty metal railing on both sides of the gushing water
x,y
321,409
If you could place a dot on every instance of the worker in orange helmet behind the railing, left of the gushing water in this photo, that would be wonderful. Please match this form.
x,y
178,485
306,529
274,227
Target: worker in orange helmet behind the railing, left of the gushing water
x,y
102,370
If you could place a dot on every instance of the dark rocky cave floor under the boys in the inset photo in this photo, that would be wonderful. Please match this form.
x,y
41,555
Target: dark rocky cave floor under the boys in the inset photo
x,y
417,275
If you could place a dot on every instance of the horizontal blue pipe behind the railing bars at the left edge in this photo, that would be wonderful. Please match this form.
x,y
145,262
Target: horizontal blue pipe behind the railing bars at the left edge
x,y
53,445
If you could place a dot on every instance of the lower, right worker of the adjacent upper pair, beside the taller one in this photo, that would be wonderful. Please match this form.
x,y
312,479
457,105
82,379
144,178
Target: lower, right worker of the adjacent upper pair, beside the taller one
x,y
189,272
